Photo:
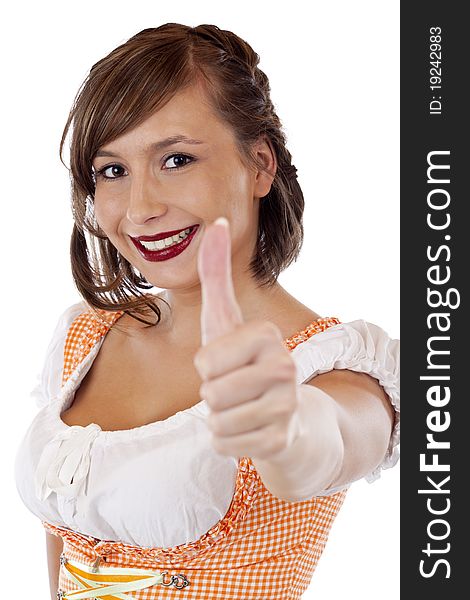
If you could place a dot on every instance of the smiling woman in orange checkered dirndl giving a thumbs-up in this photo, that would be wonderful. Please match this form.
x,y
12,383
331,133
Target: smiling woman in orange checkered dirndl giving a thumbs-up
x,y
201,439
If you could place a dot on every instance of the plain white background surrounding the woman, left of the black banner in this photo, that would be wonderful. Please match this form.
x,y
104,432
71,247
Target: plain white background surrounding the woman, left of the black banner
x,y
334,73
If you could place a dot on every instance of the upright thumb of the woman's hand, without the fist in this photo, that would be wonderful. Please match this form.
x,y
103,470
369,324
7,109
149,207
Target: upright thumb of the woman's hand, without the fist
x,y
220,312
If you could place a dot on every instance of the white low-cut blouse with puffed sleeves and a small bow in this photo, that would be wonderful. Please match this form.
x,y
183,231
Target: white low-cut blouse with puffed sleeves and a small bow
x,y
161,484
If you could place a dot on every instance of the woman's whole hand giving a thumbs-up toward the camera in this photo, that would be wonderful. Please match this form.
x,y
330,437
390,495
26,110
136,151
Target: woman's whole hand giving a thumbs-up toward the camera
x,y
249,377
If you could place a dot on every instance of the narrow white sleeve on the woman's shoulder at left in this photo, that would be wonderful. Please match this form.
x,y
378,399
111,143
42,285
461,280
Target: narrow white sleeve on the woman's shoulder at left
x,y
50,378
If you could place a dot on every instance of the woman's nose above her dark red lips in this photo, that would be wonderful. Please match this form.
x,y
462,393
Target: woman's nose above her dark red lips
x,y
144,202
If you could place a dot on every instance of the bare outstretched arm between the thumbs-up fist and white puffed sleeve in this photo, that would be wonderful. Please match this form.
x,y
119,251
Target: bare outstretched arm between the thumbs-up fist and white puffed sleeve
x,y
344,426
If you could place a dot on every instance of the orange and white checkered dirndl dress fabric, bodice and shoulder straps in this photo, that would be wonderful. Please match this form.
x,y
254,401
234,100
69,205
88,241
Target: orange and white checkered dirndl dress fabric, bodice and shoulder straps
x,y
263,548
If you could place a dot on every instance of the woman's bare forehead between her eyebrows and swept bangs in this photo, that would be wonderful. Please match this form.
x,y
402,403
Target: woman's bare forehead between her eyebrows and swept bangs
x,y
188,113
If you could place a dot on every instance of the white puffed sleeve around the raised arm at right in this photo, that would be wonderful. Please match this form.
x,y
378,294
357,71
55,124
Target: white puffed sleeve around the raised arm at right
x,y
363,347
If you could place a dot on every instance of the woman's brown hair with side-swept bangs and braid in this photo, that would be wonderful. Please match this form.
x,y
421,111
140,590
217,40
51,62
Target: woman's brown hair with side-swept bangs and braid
x,y
126,87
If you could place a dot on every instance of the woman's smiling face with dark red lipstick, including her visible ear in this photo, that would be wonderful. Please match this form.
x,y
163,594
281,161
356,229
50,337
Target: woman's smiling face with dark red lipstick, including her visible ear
x,y
179,169
